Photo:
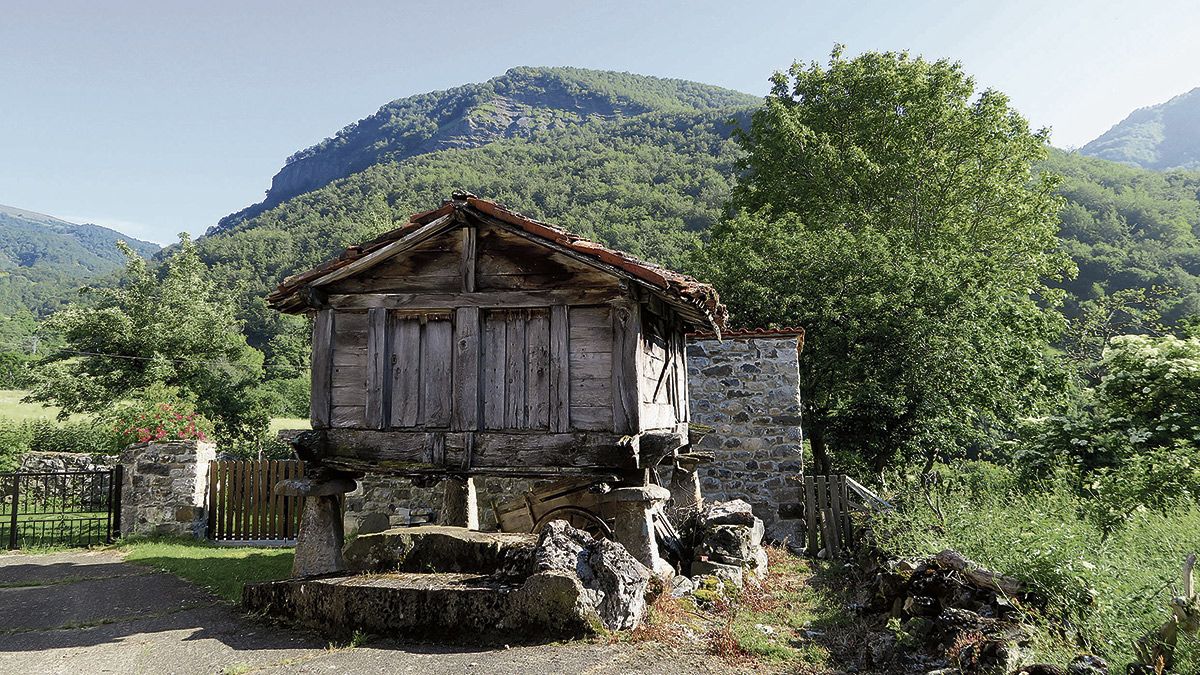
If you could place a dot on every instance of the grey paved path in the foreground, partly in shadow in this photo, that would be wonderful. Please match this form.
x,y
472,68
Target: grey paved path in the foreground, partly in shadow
x,y
82,613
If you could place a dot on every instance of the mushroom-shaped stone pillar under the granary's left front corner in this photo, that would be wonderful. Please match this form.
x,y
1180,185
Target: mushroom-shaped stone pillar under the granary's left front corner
x,y
322,531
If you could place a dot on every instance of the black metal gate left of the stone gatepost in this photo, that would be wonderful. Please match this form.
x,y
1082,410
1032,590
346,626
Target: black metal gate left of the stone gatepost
x,y
65,509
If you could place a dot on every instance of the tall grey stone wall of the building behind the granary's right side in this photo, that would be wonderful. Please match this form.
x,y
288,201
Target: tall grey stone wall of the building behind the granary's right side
x,y
747,387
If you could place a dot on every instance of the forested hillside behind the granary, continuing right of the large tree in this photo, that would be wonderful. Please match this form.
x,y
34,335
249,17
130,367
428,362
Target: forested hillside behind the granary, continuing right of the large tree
x,y
649,176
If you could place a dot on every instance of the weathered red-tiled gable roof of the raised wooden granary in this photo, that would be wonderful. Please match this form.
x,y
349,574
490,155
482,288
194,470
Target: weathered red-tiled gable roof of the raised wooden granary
x,y
671,285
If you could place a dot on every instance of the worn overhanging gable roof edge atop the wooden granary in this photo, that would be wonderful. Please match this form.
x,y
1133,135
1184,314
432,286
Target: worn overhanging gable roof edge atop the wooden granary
x,y
697,302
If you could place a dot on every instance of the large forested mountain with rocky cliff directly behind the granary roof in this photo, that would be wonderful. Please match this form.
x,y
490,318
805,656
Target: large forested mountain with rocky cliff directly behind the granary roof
x,y
641,164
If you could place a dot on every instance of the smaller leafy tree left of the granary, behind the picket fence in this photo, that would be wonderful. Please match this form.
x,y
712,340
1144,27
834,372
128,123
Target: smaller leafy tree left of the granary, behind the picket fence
x,y
172,327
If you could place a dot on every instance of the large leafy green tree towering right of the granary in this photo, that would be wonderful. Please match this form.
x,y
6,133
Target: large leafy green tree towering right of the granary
x,y
893,212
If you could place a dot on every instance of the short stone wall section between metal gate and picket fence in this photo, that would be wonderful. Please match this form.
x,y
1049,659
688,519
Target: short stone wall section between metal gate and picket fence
x,y
165,488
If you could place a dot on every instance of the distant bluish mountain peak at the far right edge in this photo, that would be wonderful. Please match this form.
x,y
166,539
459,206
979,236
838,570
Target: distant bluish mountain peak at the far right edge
x,y
1159,138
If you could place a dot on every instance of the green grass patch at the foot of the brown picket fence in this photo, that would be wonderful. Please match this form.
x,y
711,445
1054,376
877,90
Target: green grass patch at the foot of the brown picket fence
x,y
221,570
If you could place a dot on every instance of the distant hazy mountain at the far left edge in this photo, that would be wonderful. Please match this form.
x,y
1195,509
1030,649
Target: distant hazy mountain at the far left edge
x,y
44,259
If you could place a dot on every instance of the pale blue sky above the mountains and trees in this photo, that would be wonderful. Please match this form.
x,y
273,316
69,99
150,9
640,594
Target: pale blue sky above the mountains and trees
x,y
161,117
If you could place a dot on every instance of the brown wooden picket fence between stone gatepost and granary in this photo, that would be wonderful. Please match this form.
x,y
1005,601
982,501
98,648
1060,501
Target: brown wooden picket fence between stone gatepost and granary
x,y
243,505
